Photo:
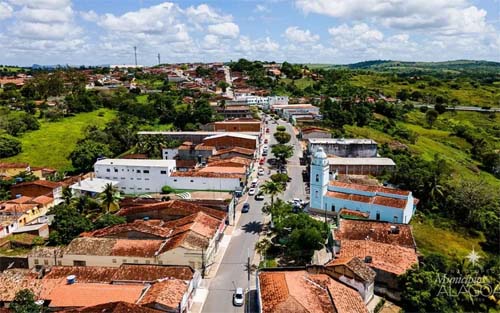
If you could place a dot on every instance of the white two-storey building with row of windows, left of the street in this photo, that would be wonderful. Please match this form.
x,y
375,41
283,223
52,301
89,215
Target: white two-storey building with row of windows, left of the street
x,y
136,176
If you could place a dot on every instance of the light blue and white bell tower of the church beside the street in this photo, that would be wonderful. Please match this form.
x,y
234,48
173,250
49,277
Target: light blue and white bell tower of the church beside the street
x,y
320,176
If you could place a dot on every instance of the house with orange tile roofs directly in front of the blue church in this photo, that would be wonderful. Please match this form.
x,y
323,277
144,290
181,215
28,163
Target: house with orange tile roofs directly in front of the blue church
x,y
388,248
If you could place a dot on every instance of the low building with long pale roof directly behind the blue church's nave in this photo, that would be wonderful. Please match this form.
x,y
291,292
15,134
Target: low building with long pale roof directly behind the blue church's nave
x,y
361,166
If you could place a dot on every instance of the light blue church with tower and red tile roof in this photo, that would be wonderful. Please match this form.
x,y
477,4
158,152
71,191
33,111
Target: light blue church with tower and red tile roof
x,y
381,203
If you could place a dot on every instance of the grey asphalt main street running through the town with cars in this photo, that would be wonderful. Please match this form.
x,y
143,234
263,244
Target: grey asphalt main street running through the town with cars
x,y
232,271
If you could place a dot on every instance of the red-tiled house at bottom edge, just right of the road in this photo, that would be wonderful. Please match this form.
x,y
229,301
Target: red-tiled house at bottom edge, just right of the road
x,y
295,290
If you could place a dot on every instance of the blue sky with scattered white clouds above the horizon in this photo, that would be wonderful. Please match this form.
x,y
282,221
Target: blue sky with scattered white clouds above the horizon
x,y
305,31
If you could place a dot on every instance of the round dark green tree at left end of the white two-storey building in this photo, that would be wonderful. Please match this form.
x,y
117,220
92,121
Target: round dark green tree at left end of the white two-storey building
x,y
86,154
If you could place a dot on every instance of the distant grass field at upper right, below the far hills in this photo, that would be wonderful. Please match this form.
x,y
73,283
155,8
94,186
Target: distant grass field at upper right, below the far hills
x,y
483,95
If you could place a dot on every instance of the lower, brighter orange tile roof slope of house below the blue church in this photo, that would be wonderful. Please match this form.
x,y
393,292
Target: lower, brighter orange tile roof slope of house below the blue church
x,y
386,257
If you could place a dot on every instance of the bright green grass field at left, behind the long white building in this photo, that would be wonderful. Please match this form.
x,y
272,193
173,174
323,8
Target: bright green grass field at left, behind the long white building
x,y
51,145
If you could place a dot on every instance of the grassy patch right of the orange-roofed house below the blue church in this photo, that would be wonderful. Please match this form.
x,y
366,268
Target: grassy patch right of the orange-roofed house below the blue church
x,y
430,238
